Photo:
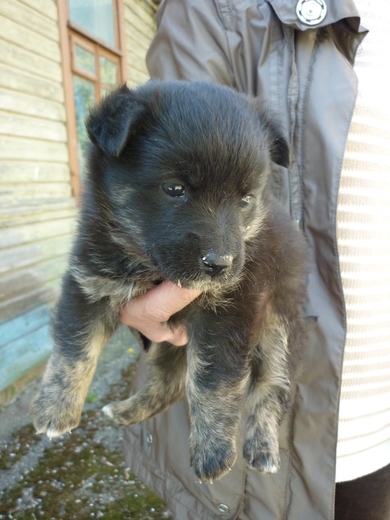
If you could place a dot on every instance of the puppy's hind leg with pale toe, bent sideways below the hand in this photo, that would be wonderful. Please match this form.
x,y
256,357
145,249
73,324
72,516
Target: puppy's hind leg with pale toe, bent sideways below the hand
x,y
165,386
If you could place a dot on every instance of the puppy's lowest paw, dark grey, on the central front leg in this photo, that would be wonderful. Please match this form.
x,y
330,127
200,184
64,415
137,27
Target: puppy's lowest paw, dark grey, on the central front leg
x,y
211,460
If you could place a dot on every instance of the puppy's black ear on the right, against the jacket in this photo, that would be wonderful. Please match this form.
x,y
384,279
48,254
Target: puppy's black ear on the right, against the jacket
x,y
280,153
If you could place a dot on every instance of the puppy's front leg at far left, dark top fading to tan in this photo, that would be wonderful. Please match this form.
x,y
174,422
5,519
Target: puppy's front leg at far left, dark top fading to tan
x,y
80,330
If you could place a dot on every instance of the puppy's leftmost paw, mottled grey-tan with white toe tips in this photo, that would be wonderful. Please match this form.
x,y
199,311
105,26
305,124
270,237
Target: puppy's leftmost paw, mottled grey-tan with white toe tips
x,y
55,413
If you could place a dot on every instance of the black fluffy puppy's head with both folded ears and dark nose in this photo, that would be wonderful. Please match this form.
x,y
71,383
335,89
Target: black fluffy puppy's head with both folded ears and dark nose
x,y
184,169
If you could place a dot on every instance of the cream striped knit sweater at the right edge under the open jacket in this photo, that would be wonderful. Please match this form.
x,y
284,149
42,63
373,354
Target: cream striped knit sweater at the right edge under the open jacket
x,y
363,233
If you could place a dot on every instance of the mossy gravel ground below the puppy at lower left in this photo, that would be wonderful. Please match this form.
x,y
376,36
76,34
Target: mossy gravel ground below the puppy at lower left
x,y
80,475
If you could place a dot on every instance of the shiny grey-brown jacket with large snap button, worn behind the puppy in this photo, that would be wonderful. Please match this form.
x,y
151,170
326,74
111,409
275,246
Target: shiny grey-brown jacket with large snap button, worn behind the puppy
x,y
305,74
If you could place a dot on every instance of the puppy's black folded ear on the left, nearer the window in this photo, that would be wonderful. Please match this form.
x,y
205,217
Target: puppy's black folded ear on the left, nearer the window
x,y
109,123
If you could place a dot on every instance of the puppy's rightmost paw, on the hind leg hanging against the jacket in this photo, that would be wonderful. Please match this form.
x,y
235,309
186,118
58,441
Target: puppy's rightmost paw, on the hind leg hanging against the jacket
x,y
261,452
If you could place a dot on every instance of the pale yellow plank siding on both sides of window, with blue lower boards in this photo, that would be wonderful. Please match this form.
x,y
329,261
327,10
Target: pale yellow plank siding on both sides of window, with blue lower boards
x,y
38,215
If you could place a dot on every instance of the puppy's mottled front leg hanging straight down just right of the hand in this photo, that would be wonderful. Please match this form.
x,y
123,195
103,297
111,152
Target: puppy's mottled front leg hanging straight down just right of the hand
x,y
217,377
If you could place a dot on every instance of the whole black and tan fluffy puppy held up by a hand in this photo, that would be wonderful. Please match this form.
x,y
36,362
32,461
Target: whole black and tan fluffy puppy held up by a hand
x,y
178,188
